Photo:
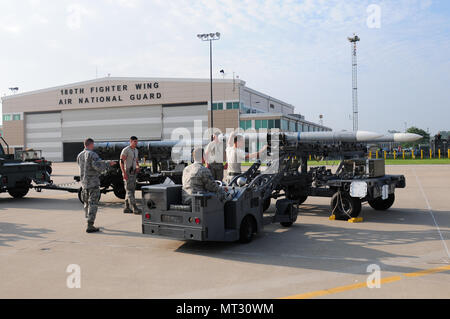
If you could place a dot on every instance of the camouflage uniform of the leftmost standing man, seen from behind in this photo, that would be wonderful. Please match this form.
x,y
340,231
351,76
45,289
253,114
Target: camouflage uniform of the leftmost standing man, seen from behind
x,y
90,168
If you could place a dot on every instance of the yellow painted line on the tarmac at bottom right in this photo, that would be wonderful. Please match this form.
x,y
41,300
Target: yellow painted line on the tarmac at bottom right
x,y
325,292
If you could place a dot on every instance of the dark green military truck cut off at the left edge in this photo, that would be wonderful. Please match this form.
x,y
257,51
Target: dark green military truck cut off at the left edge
x,y
16,176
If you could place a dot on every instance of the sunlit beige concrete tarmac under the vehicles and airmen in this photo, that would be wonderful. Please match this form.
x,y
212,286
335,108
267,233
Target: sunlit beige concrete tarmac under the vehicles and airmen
x,y
44,233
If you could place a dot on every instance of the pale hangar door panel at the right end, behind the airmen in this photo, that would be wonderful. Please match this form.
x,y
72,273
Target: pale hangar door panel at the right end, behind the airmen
x,y
183,116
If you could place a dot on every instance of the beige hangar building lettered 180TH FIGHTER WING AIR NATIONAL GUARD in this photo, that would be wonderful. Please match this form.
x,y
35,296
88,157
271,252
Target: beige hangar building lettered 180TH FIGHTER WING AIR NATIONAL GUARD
x,y
56,120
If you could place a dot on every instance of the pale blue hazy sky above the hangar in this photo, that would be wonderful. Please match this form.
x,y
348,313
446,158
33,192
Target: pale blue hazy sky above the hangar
x,y
296,51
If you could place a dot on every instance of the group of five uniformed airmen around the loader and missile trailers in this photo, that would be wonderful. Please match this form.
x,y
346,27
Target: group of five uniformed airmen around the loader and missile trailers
x,y
196,177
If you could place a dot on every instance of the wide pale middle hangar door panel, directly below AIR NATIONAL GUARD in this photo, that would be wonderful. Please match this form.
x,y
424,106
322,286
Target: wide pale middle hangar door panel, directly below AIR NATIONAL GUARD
x,y
112,124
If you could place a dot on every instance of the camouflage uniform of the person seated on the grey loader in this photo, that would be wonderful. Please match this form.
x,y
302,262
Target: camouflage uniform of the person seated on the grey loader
x,y
198,179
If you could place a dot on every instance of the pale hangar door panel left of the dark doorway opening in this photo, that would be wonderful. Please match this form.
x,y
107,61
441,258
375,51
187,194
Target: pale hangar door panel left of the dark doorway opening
x,y
43,132
